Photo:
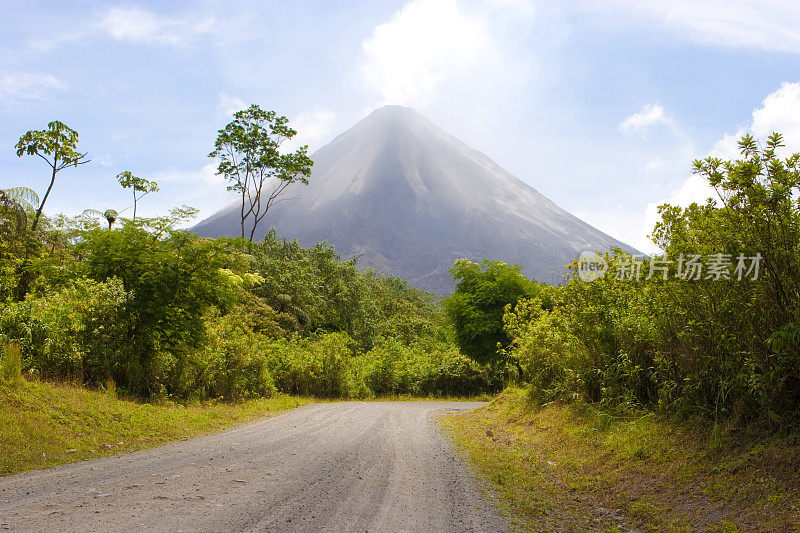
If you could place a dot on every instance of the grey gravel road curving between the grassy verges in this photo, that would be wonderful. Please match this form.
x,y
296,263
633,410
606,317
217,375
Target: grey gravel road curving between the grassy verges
x,y
353,466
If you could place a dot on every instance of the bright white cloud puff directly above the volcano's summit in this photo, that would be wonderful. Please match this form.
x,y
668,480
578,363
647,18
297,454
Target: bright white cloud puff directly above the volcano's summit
x,y
426,41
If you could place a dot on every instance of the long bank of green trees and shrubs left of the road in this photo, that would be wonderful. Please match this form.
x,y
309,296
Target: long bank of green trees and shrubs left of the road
x,y
157,311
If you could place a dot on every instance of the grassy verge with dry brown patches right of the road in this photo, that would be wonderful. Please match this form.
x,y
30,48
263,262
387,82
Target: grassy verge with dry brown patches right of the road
x,y
573,467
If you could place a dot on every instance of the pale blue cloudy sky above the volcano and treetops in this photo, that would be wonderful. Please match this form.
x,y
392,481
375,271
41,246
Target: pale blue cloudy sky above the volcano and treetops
x,y
600,105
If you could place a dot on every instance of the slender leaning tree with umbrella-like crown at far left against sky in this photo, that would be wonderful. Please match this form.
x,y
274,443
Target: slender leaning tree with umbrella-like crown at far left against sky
x,y
57,146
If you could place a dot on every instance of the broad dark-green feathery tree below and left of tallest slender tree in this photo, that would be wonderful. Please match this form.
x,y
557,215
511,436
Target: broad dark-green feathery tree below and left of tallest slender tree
x,y
170,279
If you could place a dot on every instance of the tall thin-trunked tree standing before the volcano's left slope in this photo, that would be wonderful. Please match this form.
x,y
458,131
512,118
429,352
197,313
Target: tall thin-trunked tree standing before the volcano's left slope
x,y
249,155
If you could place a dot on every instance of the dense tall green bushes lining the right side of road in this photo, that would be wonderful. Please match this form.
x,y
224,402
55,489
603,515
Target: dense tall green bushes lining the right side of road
x,y
710,328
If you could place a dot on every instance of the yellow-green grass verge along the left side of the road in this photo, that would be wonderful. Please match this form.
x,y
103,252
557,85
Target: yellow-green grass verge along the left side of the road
x,y
45,424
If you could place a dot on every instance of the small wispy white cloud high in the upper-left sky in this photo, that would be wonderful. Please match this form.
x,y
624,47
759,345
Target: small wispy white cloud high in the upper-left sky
x,y
141,26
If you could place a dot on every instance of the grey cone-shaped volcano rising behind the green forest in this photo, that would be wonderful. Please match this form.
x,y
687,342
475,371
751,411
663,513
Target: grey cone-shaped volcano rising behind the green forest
x,y
409,199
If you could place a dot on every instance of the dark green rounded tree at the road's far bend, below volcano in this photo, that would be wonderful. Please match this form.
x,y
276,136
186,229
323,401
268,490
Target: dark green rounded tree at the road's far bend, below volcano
x,y
477,306
